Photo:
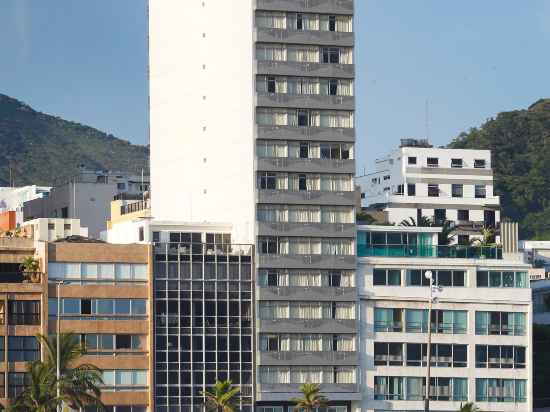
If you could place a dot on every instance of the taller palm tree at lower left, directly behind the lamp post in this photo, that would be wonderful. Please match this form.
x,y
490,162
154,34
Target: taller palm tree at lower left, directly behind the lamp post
x,y
79,383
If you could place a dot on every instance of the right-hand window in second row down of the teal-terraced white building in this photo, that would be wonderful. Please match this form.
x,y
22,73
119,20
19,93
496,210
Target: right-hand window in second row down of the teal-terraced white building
x,y
500,323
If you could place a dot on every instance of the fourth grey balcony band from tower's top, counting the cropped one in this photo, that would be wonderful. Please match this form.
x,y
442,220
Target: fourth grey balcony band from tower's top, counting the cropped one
x,y
306,101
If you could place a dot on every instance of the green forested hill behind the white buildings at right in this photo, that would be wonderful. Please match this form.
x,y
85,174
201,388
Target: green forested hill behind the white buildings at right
x,y
520,145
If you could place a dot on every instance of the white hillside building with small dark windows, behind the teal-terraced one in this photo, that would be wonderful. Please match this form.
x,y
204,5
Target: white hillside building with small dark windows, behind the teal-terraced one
x,y
442,184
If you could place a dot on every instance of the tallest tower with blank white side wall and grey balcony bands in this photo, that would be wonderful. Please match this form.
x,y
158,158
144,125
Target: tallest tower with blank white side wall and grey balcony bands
x,y
252,125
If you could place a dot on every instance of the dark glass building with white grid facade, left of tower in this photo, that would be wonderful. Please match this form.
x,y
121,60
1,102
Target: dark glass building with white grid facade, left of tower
x,y
203,319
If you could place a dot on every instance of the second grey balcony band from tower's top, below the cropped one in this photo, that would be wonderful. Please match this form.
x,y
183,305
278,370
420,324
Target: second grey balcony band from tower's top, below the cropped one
x,y
323,38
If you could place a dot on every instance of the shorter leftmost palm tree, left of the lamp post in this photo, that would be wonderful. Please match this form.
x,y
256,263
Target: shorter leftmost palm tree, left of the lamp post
x,y
40,393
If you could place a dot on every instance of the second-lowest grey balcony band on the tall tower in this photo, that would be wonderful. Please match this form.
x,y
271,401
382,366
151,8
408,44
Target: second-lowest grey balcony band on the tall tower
x,y
309,358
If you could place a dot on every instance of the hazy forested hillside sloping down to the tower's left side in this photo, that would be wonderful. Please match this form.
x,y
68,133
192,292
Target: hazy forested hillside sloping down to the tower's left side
x,y
40,148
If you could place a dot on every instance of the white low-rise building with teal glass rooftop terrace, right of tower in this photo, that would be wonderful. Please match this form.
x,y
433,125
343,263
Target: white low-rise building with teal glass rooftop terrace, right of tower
x,y
481,323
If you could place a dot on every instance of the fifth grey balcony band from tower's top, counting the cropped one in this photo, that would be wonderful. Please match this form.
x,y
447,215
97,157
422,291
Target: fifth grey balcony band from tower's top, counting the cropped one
x,y
321,134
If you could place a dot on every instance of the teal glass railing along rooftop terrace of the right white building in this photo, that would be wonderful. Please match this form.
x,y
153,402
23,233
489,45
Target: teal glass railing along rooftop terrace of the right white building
x,y
430,251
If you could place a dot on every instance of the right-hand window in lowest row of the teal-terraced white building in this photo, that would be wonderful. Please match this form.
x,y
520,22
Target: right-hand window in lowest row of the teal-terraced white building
x,y
501,390
